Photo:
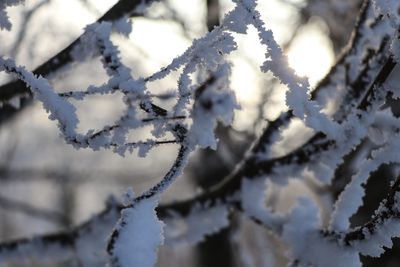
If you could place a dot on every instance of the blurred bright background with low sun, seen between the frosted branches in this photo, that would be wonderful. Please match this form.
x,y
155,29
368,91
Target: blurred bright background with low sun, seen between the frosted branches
x,y
48,186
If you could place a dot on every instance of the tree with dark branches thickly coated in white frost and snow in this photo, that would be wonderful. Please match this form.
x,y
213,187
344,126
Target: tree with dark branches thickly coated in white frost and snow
x,y
350,121
